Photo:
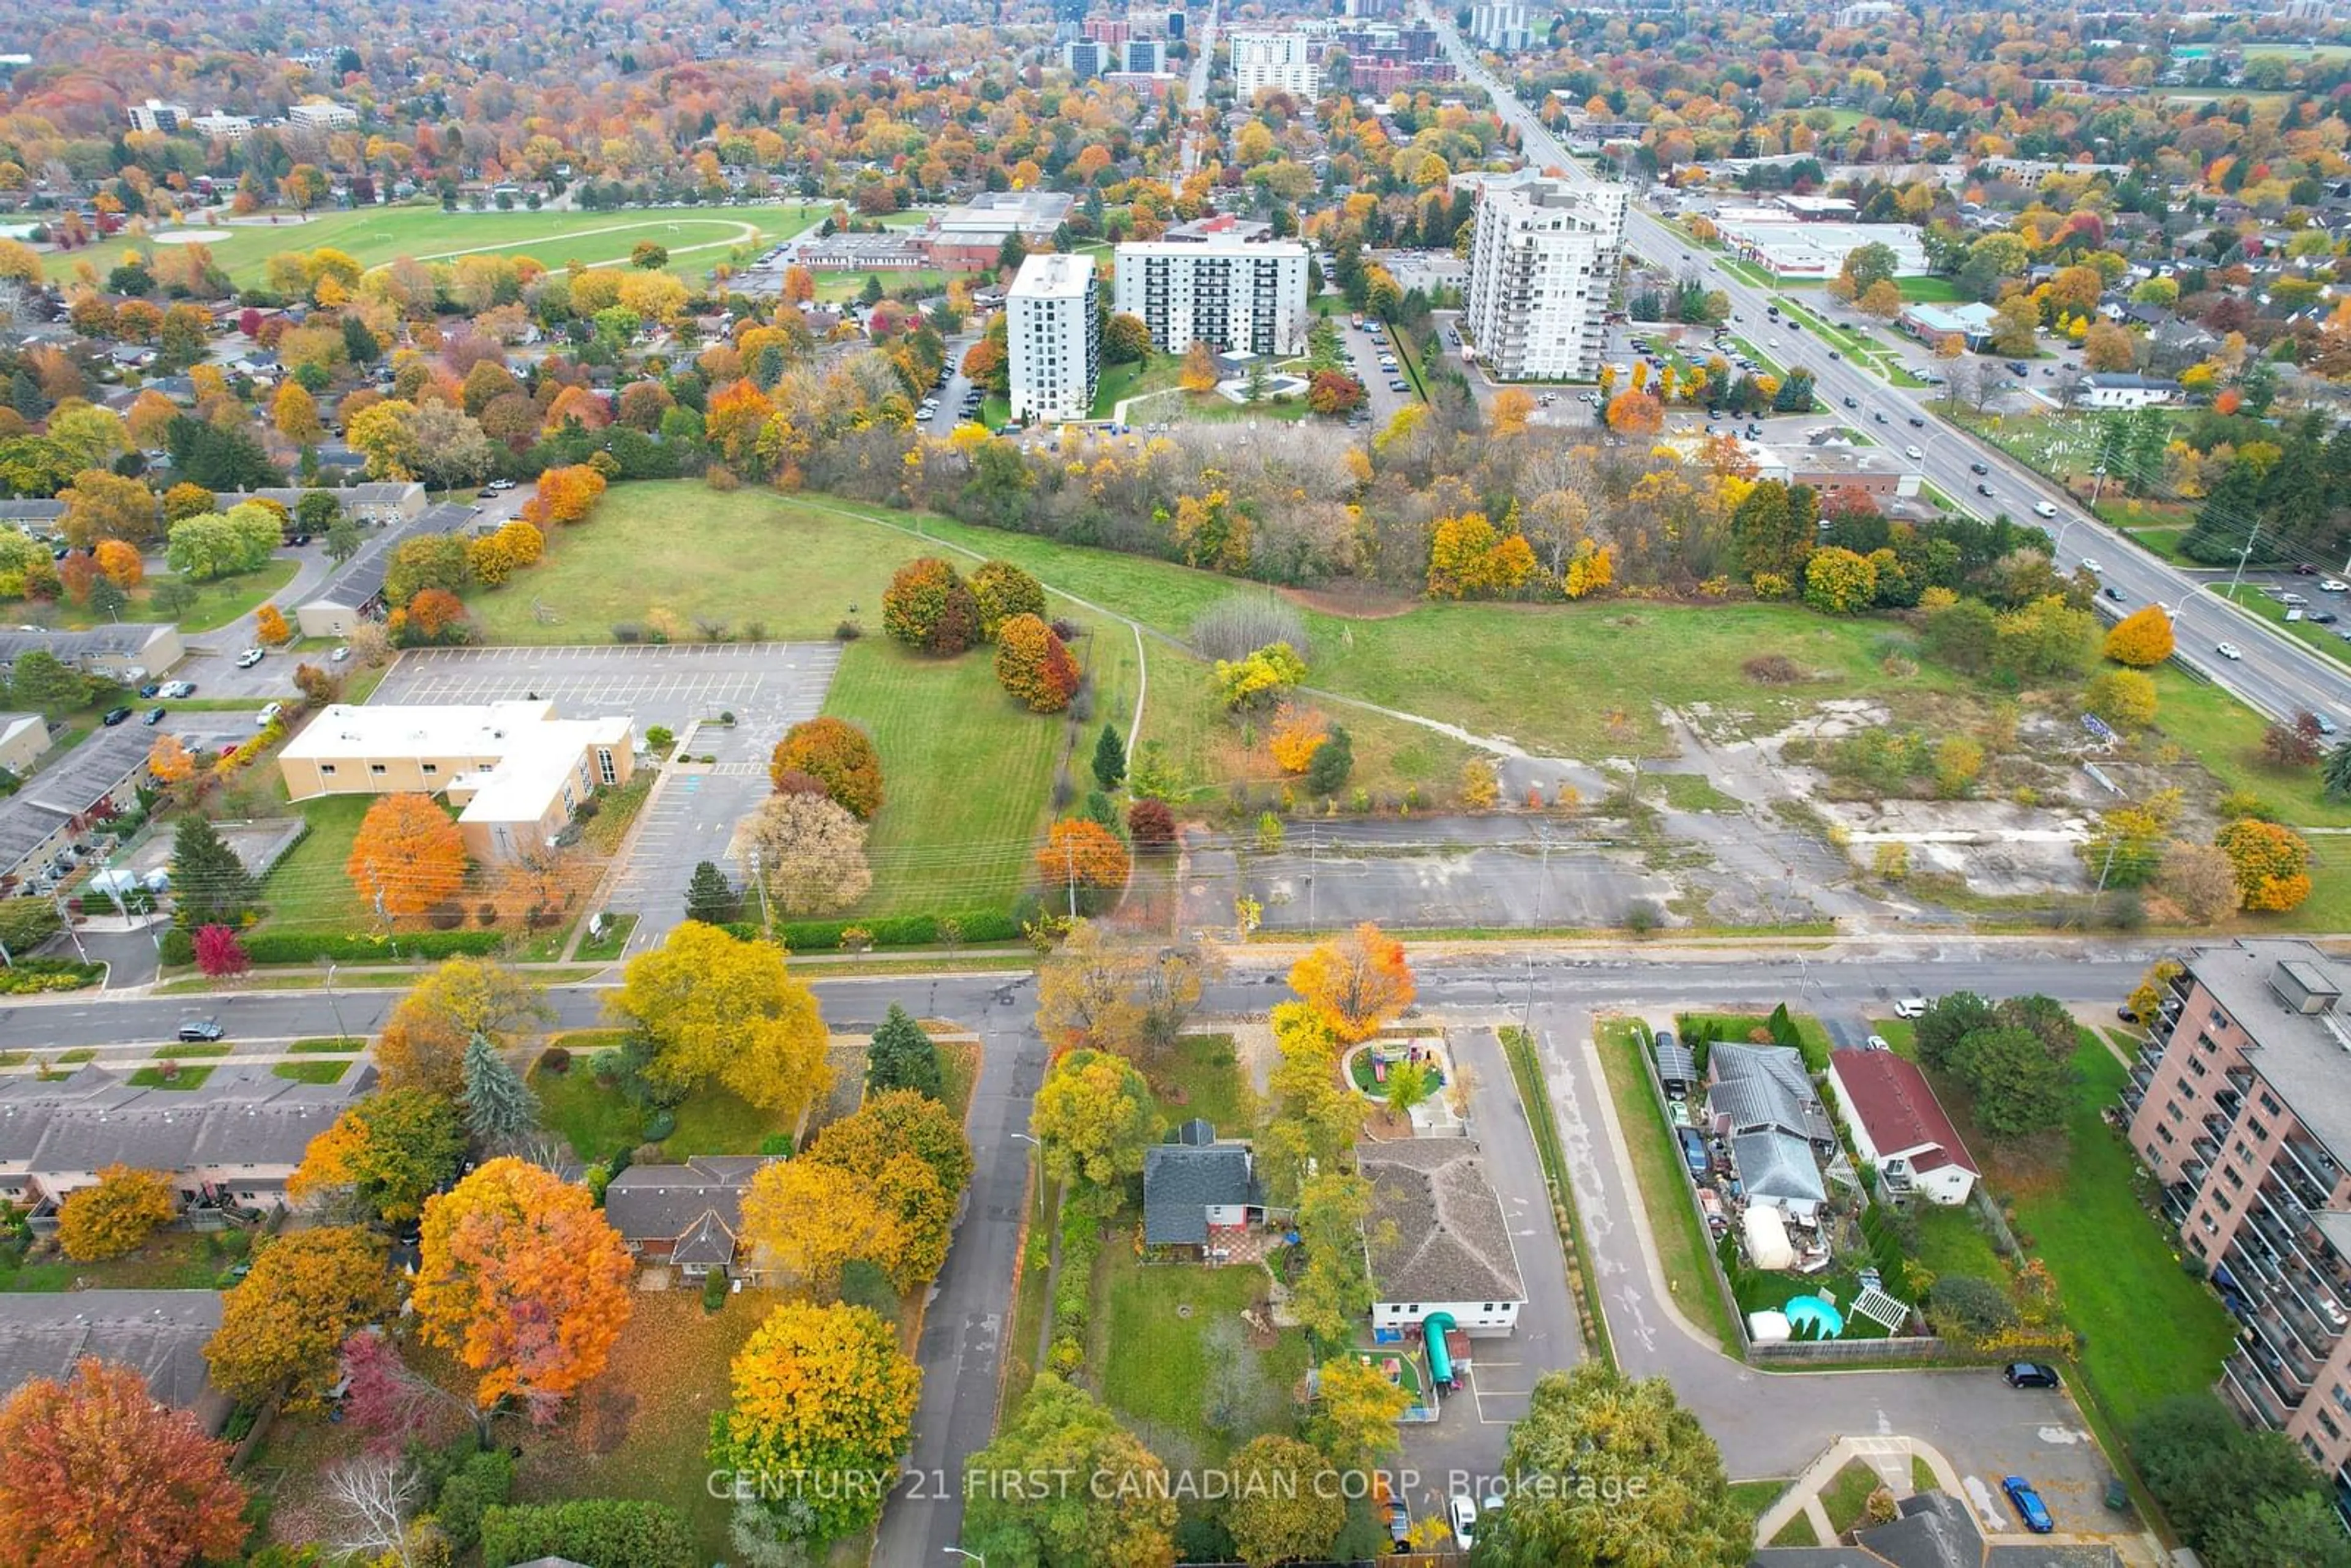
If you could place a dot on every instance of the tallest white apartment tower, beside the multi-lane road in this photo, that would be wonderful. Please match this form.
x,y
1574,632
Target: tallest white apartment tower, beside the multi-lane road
x,y
1541,267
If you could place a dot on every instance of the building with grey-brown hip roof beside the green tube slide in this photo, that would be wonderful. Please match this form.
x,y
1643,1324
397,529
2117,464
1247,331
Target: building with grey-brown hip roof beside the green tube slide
x,y
1438,1238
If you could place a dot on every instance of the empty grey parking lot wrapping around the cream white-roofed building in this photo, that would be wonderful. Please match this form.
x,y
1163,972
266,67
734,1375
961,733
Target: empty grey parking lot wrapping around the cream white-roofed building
x,y
692,817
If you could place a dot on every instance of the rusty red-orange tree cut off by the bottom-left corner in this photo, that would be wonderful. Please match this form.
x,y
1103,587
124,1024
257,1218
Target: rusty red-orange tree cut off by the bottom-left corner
x,y
102,1475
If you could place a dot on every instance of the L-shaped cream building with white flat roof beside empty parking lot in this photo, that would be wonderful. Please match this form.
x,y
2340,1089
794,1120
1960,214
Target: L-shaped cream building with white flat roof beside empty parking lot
x,y
516,770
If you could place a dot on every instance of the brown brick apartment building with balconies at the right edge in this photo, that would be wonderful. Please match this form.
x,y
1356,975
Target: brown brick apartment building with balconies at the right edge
x,y
2242,1106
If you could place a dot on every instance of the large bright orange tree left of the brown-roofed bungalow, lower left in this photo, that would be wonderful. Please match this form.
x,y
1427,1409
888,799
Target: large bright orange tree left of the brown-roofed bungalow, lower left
x,y
525,1282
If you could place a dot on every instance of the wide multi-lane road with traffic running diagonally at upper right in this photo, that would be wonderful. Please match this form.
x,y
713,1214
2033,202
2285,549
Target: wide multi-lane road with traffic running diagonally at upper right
x,y
2275,674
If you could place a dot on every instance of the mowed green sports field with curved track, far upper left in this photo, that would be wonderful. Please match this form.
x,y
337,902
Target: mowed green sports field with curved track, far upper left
x,y
375,236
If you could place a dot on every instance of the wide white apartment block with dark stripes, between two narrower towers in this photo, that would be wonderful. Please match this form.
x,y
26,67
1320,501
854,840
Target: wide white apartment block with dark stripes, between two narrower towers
x,y
1231,295
